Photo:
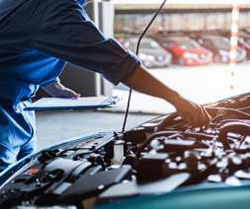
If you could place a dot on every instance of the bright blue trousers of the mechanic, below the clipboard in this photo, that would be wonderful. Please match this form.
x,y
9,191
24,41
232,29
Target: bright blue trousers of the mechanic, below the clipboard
x,y
17,134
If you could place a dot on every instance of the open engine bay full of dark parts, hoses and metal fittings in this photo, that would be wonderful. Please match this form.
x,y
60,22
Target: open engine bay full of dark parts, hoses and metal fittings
x,y
161,155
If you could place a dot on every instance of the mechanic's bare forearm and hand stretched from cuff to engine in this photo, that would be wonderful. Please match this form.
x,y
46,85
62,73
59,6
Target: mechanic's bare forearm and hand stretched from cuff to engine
x,y
144,82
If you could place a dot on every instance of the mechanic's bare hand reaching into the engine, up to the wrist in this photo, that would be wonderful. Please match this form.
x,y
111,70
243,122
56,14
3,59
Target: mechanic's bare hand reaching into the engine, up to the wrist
x,y
194,114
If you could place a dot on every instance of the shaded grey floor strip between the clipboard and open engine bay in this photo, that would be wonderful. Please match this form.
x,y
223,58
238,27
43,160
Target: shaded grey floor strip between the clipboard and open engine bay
x,y
56,126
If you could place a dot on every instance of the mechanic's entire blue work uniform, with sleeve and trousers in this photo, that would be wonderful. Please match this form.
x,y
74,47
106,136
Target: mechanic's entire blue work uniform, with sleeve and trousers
x,y
37,37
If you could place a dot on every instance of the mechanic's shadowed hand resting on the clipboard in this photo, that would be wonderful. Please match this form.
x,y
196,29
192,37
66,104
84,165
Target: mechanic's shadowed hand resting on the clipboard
x,y
56,89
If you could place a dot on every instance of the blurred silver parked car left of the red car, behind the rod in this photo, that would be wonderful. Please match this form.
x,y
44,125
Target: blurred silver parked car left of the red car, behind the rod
x,y
151,53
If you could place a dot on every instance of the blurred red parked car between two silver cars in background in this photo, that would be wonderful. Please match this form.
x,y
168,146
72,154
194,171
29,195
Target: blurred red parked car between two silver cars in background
x,y
186,51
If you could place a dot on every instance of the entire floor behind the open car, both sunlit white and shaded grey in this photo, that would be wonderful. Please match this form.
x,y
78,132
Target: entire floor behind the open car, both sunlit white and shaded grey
x,y
201,84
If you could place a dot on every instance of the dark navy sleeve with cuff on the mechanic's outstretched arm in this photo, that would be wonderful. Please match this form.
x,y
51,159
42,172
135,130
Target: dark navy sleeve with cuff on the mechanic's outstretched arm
x,y
66,32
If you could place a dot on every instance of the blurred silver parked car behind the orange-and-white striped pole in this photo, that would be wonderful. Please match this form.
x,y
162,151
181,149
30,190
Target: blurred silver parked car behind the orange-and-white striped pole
x,y
220,46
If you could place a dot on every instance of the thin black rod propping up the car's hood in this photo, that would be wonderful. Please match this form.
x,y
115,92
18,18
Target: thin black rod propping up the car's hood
x,y
137,52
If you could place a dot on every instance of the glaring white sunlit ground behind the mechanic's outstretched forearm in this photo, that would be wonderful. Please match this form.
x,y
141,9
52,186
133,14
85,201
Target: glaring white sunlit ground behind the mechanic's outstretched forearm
x,y
202,84
